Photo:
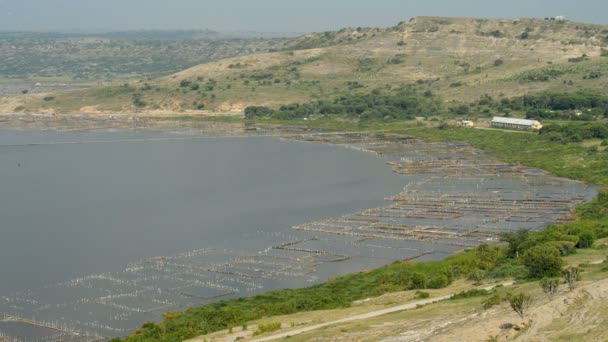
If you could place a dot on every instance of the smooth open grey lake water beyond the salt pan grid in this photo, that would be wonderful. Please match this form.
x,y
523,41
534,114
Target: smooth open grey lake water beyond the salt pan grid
x,y
73,209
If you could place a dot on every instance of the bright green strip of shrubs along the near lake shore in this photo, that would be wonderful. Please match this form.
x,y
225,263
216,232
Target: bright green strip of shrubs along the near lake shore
x,y
340,292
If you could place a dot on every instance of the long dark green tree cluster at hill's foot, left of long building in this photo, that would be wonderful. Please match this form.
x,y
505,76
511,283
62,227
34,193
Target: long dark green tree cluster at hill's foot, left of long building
x,y
375,105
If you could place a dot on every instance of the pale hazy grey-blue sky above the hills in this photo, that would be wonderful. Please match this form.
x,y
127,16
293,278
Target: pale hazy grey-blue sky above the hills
x,y
270,15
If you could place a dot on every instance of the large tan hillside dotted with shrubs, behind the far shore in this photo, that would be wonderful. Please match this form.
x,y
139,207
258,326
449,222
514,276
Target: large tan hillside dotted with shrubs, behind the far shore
x,y
460,59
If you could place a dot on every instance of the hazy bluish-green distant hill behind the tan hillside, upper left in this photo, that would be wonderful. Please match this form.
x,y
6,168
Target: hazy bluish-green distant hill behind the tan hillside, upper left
x,y
105,57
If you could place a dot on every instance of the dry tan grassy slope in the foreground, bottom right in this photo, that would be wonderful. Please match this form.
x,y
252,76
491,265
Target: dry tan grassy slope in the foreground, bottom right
x,y
446,320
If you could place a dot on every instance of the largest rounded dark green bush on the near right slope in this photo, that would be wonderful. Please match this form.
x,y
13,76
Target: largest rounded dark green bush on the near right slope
x,y
543,261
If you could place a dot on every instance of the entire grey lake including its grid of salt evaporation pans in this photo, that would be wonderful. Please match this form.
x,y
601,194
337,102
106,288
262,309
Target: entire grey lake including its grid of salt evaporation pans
x,y
102,231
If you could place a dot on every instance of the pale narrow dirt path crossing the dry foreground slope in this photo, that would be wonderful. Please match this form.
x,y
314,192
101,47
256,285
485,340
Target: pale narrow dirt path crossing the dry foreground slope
x,y
403,307
